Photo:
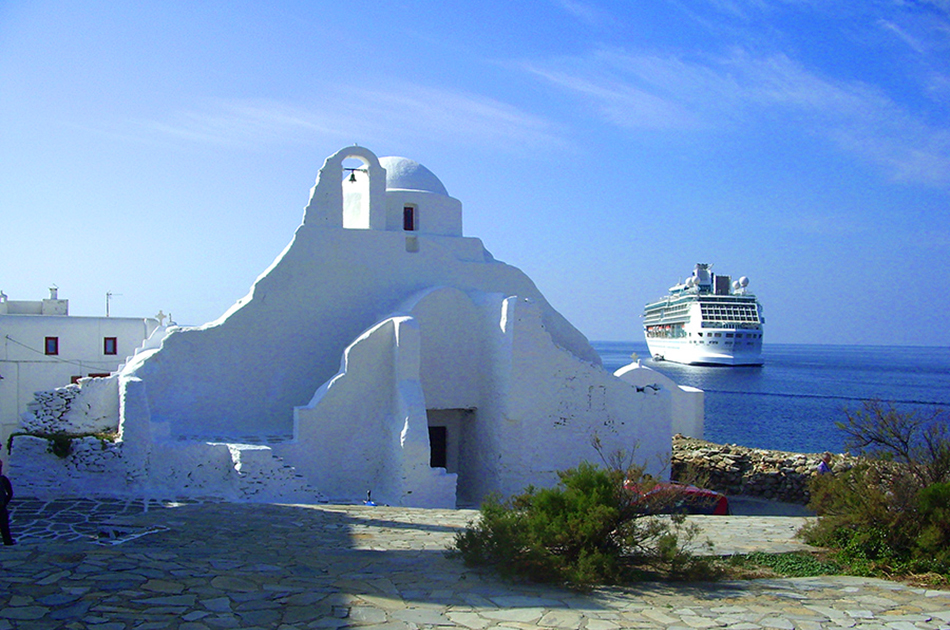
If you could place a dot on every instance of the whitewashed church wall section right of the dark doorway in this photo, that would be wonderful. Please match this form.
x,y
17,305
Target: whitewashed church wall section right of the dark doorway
x,y
550,407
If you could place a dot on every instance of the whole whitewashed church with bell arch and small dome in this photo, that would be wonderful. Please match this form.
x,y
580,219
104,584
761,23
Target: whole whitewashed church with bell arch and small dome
x,y
382,351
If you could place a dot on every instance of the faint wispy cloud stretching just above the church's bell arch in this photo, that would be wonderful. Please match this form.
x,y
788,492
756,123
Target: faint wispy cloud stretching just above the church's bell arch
x,y
394,111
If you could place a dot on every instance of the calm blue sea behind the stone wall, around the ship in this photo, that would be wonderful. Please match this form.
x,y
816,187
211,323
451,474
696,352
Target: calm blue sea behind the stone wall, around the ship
x,y
793,401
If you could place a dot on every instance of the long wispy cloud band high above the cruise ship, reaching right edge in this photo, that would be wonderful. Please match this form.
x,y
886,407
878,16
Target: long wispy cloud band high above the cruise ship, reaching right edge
x,y
745,89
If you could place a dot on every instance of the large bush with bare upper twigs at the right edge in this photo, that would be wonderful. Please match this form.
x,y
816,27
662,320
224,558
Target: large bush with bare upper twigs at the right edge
x,y
891,512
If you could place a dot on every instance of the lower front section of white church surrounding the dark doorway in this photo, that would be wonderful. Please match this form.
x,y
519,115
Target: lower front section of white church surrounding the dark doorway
x,y
531,408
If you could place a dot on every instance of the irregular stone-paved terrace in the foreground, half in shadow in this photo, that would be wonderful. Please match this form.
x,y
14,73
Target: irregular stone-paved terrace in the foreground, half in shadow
x,y
113,565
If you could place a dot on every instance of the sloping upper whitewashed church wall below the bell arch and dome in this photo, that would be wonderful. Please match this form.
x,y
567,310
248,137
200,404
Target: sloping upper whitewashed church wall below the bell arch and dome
x,y
285,339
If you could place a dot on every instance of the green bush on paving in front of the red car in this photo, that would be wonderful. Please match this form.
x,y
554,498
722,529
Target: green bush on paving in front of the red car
x,y
585,531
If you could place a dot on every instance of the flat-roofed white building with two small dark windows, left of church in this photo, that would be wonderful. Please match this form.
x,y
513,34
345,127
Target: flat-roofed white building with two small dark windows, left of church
x,y
43,348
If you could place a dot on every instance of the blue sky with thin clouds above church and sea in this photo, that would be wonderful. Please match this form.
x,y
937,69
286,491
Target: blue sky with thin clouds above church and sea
x,y
163,152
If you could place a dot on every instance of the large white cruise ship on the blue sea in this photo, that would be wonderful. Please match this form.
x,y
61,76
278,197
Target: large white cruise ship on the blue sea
x,y
707,320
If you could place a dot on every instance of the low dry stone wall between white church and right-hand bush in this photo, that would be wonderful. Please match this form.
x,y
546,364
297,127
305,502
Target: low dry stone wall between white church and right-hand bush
x,y
733,469
